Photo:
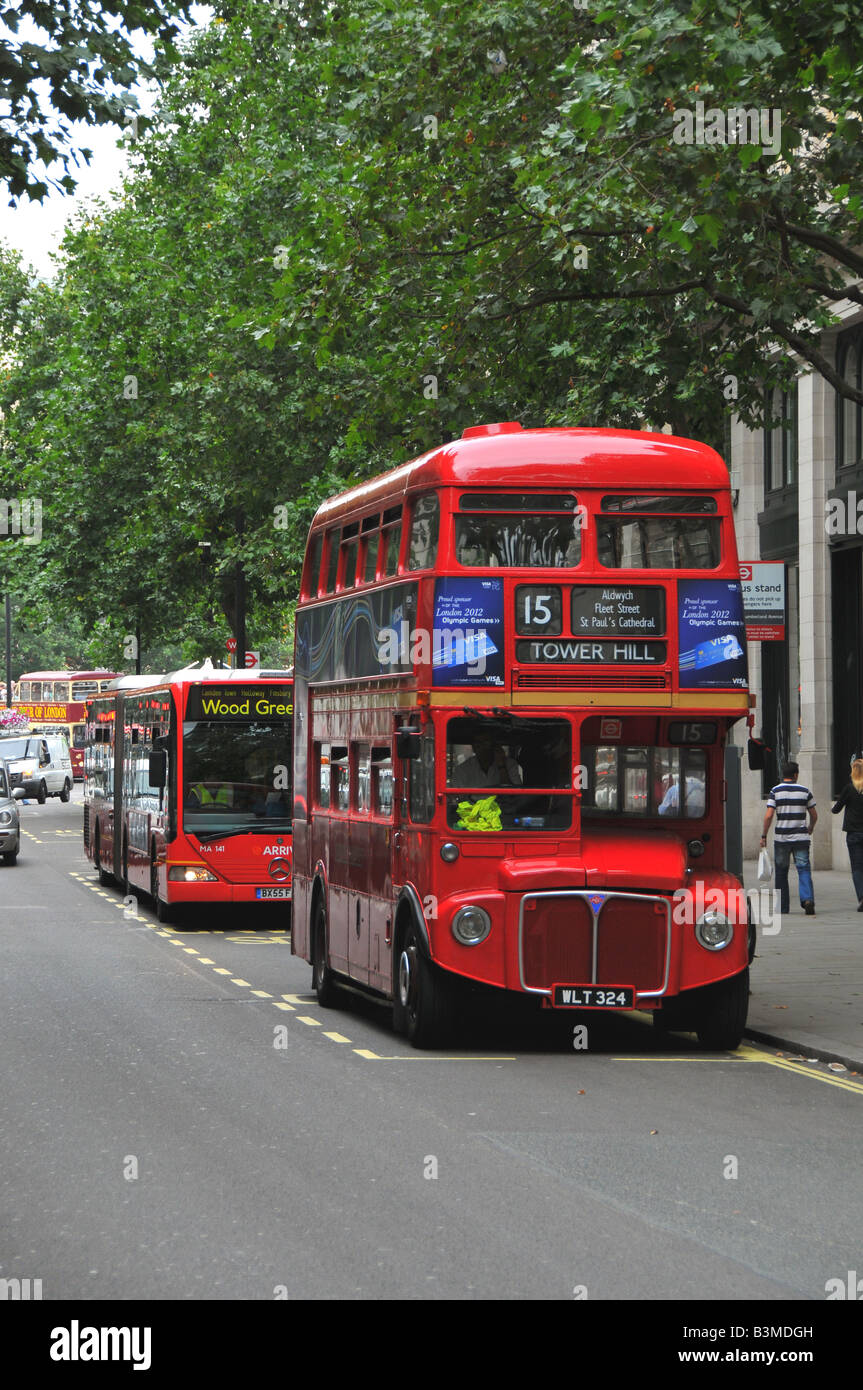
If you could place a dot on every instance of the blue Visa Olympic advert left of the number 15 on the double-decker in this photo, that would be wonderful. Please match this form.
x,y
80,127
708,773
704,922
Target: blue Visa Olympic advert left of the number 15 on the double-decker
x,y
468,637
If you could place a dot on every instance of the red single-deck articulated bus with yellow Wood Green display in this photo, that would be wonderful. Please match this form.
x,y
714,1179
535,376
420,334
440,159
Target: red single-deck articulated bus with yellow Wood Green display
x,y
188,786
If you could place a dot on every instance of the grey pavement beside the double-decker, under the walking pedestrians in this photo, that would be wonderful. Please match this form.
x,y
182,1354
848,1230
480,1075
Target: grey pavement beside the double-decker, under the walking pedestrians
x,y
808,979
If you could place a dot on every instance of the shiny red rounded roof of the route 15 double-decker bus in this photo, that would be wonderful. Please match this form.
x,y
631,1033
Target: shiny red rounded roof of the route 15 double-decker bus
x,y
537,459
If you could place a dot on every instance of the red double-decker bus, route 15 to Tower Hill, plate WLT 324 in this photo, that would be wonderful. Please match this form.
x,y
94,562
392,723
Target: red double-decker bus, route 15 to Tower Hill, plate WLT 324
x,y
518,662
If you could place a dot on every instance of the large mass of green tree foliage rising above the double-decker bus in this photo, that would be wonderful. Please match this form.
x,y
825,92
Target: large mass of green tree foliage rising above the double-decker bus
x,y
354,231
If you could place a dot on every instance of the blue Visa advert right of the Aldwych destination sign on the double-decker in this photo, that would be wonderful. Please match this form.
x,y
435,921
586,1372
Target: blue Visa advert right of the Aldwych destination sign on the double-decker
x,y
712,635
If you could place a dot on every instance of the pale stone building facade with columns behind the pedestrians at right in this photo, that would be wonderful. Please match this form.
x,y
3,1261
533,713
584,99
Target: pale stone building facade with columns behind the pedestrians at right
x,y
797,502
